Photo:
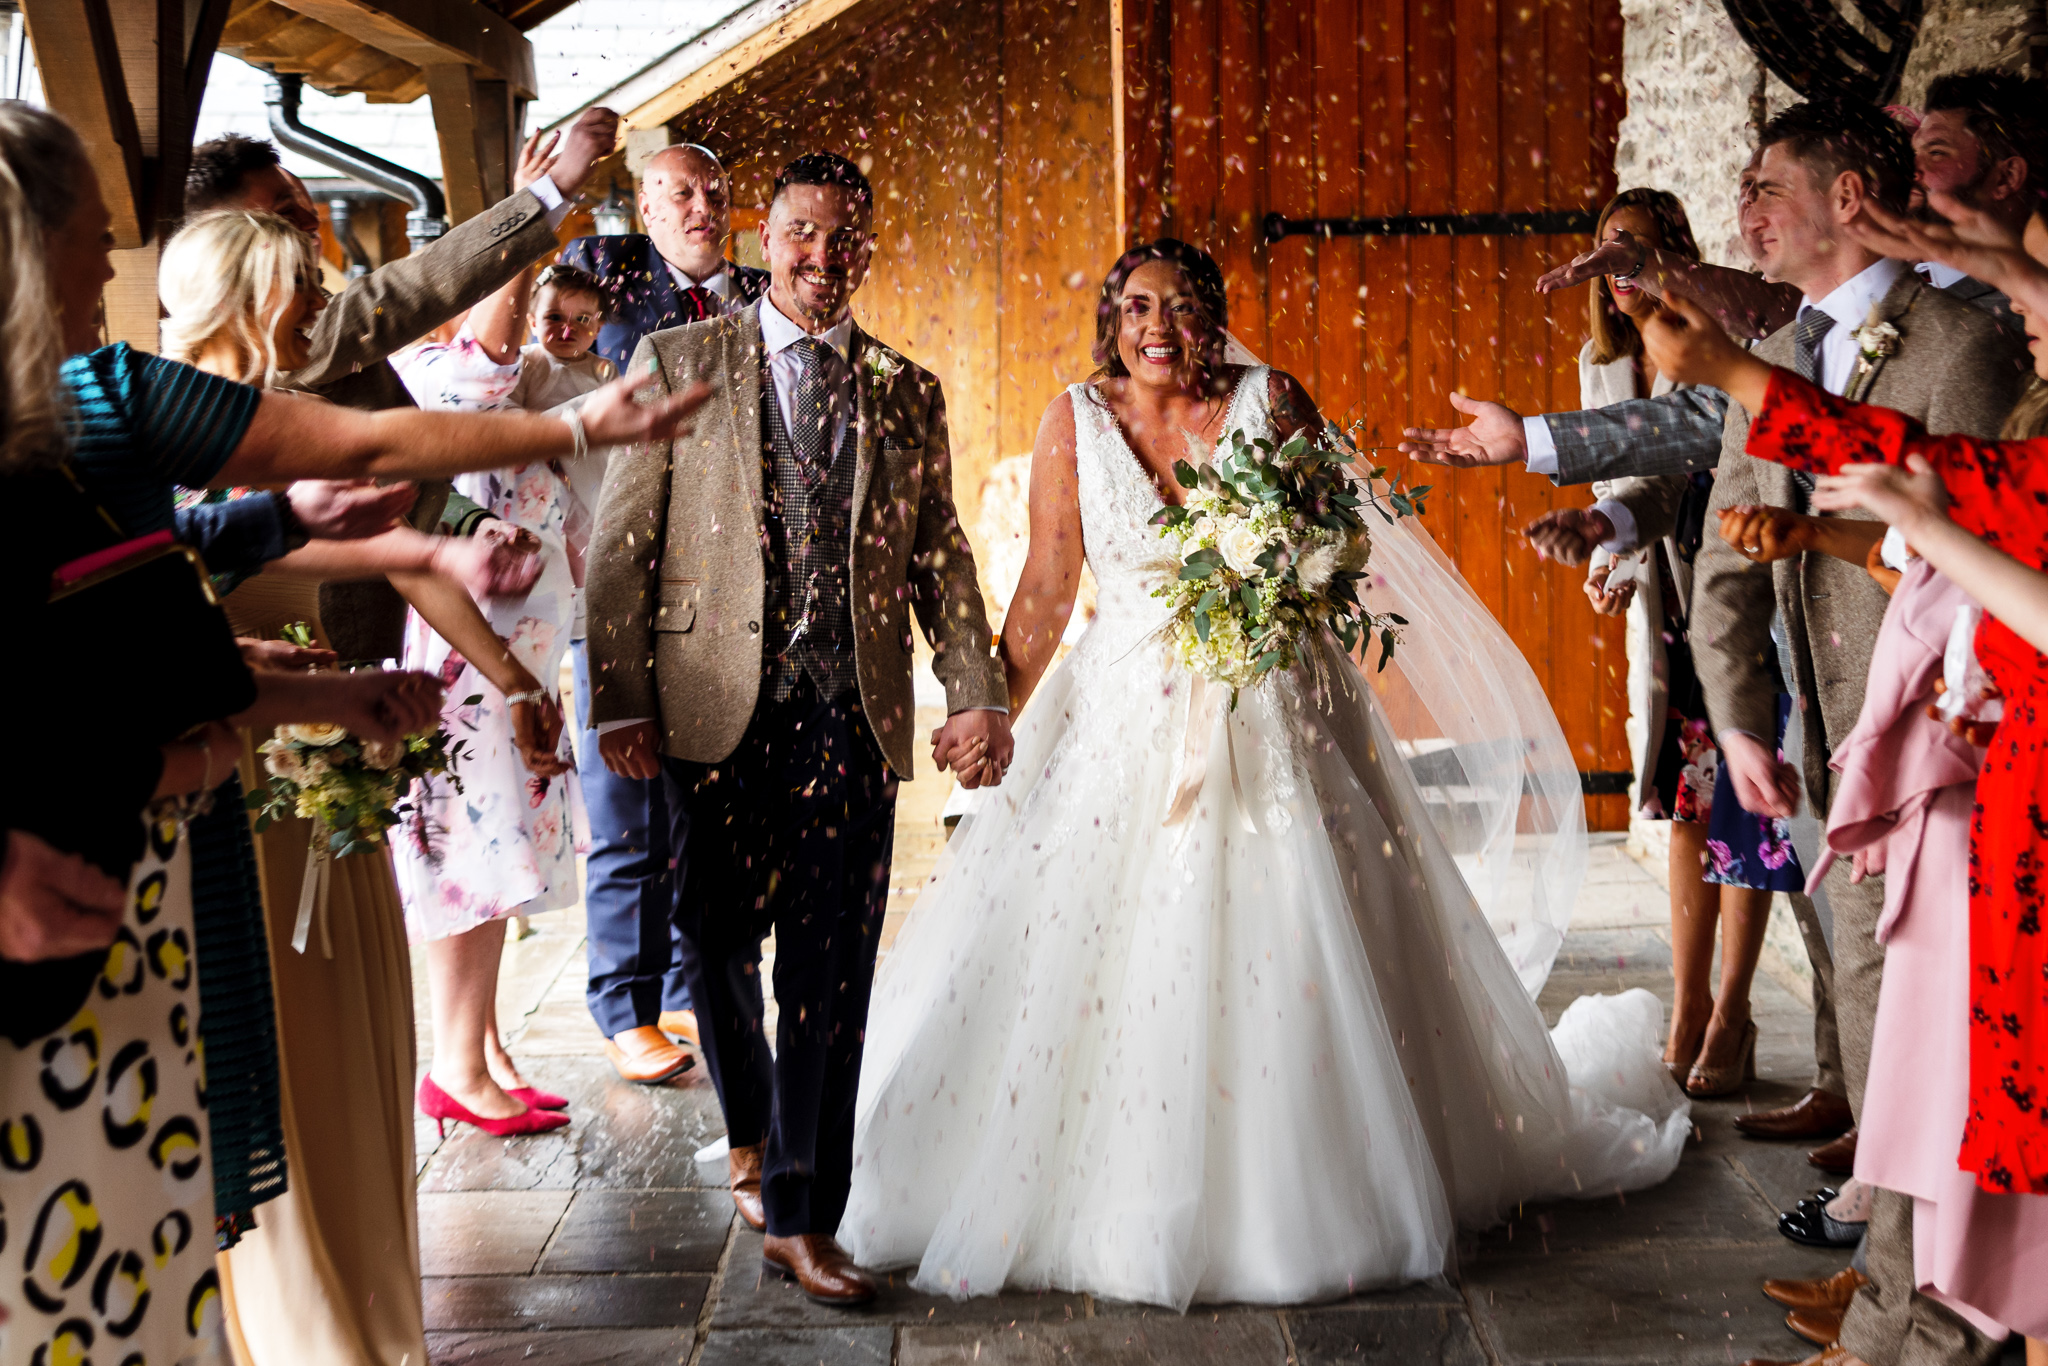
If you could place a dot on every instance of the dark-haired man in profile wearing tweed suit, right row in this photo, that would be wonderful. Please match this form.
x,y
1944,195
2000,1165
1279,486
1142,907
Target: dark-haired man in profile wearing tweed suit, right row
x,y
1951,368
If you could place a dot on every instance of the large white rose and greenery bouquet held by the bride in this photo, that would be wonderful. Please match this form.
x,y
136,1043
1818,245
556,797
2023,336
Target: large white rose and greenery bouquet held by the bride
x,y
1271,546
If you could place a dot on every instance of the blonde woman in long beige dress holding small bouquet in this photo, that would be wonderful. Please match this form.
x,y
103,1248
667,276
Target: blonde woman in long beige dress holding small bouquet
x,y
331,1273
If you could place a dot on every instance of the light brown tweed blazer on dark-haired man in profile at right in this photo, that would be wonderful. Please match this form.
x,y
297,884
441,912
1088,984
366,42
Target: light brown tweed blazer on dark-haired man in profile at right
x,y
1957,372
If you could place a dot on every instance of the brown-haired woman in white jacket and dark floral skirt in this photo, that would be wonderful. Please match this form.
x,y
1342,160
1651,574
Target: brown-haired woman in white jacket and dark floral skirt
x,y
1723,861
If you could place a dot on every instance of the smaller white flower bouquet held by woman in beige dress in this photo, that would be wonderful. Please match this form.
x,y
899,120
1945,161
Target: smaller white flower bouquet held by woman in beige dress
x,y
353,787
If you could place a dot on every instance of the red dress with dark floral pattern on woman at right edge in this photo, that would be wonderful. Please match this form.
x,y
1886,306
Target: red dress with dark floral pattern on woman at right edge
x,y
2000,493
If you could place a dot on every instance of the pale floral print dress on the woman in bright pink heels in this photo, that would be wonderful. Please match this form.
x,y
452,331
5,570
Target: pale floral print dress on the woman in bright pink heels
x,y
505,841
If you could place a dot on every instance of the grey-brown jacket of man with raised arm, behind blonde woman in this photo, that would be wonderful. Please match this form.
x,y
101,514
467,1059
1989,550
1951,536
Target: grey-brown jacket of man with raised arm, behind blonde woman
x,y
353,341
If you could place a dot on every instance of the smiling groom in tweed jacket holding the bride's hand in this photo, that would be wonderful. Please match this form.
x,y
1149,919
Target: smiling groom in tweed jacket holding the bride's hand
x,y
751,597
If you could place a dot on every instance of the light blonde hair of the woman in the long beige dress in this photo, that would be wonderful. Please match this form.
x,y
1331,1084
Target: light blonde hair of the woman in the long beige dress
x,y
230,275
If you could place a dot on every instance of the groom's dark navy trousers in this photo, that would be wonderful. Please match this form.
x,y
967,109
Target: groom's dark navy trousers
x,y
792,835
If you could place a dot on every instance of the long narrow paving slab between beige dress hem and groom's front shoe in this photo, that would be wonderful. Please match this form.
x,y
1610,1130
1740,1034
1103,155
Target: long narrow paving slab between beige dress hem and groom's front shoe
x,y
495,1304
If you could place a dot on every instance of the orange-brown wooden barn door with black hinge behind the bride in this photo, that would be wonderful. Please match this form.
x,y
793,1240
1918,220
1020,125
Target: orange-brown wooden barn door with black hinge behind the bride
x,y
1234,110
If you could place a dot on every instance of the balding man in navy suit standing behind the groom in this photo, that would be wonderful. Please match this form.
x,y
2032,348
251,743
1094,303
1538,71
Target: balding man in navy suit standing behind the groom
x,y
673,275
